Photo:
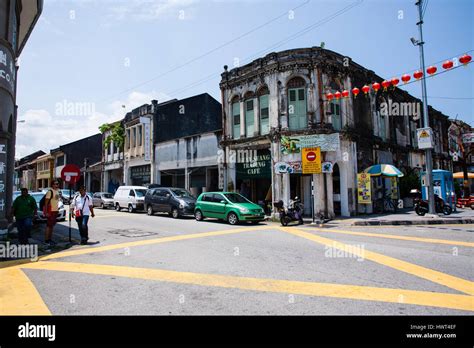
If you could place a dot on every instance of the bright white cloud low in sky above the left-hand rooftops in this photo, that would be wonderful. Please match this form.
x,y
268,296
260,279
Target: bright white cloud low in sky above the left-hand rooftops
x,y
45,130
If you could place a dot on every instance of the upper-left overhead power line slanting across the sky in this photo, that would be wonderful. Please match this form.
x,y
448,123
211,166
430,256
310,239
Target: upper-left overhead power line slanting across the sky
x,y
208,52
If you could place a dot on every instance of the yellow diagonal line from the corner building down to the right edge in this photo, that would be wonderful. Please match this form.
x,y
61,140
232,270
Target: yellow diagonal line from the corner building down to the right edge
x,y
450,281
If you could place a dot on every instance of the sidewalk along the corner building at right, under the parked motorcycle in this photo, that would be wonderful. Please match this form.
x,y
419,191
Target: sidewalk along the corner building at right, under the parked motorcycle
x,y
406,217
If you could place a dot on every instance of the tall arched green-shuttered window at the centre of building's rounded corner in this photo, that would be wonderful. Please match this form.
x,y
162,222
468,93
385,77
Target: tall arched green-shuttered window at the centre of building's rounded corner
x,y
297,110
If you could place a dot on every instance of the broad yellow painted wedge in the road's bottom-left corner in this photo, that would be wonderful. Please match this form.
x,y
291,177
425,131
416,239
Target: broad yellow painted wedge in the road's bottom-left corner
x,y
18,295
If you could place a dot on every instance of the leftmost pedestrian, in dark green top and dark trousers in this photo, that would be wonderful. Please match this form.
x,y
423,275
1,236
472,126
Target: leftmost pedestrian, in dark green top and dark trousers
x,y
24,209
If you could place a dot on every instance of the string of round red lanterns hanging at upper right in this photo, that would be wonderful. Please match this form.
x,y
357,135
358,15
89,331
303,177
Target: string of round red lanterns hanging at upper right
x,y
431,70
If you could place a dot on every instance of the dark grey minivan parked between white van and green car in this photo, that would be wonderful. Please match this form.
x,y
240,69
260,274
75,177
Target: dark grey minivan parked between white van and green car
x,y
174,201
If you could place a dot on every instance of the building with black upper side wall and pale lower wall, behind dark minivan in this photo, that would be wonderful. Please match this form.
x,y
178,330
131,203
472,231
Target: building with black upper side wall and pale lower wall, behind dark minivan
x,y
187,133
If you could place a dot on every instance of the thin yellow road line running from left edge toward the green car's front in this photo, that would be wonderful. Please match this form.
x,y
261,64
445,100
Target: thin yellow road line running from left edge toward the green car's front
x,y
86,250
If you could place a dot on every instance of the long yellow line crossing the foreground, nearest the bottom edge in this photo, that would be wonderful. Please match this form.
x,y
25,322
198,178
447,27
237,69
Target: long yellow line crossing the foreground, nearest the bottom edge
x,y
422,298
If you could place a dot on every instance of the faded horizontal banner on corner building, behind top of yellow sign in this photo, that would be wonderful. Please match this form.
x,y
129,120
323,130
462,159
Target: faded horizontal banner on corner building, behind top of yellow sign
x,y
326,142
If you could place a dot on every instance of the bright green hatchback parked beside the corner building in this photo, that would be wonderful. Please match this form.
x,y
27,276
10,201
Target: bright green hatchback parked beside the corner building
x,y
229,206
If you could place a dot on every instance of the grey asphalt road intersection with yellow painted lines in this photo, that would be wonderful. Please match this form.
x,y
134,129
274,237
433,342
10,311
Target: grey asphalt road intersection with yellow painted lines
x,y
155,265
